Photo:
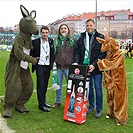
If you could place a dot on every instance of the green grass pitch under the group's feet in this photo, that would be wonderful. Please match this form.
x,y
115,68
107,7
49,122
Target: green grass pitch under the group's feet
x,y
37,121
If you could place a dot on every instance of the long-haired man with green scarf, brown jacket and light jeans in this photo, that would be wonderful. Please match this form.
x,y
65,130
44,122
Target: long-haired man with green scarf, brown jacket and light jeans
x,y
63,49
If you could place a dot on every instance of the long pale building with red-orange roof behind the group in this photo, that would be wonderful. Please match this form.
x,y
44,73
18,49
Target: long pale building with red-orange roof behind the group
x,y
118,23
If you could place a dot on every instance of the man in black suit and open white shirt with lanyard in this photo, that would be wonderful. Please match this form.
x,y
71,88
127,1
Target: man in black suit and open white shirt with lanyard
x,y
44,49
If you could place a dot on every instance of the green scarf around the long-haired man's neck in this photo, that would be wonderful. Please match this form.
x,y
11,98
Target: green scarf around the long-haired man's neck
x,y
62,40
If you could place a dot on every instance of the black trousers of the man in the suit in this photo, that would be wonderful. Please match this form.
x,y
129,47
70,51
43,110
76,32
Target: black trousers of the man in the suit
x,y
42,75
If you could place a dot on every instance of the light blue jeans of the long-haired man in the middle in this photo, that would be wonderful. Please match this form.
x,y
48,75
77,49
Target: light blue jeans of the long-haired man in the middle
x,y
61,73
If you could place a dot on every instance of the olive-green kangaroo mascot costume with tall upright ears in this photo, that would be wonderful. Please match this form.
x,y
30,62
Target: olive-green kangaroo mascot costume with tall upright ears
x,y
18,80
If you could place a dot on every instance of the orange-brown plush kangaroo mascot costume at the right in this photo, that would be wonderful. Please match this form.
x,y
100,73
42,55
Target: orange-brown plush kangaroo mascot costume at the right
x,y
114,80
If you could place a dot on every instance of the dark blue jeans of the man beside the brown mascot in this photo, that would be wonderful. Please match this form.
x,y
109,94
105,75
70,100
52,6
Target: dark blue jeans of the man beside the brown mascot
x,y
96,82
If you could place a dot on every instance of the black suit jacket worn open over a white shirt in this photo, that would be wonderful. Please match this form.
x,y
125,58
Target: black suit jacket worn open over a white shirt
x,y
35,52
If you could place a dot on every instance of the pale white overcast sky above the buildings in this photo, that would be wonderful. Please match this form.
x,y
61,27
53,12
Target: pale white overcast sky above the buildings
x,y
48,11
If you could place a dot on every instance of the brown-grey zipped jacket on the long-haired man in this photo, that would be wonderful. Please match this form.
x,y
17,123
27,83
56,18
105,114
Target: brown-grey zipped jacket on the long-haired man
x,y
64,55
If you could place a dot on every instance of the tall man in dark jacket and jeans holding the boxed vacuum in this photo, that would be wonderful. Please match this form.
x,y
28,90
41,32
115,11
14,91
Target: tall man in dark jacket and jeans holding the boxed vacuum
x,y
87,52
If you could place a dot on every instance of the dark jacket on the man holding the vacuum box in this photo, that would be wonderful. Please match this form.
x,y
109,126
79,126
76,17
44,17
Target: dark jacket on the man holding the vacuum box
x,y
95,51
